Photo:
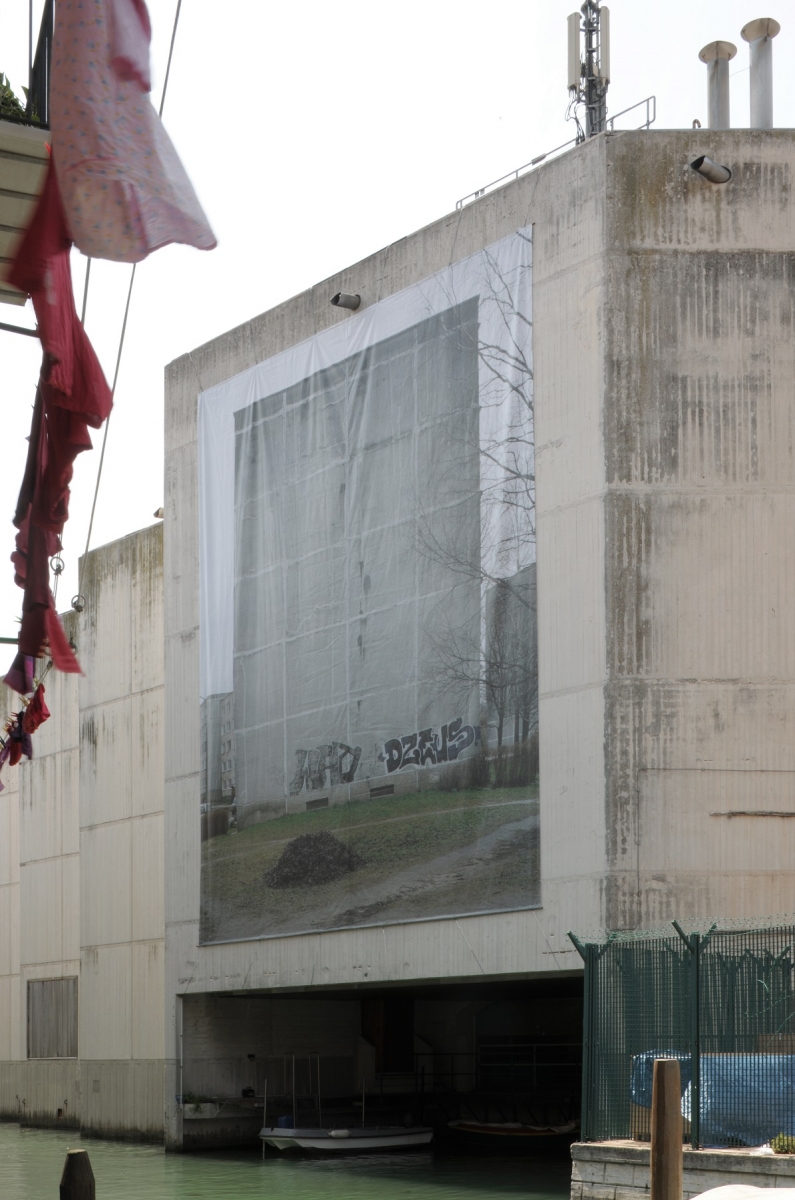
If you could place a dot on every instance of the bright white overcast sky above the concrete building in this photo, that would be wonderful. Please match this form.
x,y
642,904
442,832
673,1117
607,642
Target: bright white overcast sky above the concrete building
x,y
315,134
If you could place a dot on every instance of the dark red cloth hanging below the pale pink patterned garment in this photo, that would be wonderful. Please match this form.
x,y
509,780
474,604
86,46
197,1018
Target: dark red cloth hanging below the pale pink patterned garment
x,y
73,395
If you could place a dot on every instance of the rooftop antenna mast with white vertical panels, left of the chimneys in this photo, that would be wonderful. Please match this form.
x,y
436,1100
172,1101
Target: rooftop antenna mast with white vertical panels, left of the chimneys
x,y
589,65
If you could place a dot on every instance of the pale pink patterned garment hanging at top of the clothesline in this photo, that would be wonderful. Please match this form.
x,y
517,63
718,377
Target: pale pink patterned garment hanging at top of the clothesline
x,y
125,191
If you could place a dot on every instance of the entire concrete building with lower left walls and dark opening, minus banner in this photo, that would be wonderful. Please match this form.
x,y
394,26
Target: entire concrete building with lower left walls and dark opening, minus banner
x,y
664,352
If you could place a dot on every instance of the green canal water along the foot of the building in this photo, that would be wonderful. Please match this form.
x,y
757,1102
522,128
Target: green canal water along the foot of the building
x,y
32,1162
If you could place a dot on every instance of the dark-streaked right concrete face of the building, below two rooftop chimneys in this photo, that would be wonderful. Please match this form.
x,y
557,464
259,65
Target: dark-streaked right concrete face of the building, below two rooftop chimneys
x,y
700,451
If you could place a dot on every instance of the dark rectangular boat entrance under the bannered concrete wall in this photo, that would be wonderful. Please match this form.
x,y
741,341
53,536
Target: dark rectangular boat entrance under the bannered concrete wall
x,y
489,1067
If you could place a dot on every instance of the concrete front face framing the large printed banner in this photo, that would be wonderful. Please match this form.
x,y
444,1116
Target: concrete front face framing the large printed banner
x,y
566,203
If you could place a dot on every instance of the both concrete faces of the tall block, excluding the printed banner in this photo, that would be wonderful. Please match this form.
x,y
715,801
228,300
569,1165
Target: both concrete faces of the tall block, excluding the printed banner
x,y
664,352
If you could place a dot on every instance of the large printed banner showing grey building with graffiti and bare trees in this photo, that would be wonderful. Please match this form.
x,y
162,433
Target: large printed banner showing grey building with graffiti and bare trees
x,y
368,616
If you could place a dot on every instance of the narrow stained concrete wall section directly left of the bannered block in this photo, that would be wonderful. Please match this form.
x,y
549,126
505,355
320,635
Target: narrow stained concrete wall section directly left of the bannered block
x,y
122,839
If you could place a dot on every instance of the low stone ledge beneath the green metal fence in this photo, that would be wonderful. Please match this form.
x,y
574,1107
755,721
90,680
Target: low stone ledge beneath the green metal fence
x,y
619,1171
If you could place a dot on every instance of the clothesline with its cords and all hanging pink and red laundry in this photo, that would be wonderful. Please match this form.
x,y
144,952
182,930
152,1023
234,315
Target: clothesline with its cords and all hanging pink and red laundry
x,y
117,190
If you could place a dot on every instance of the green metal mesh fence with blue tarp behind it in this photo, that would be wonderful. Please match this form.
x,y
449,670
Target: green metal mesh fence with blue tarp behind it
x,y
722,1001
